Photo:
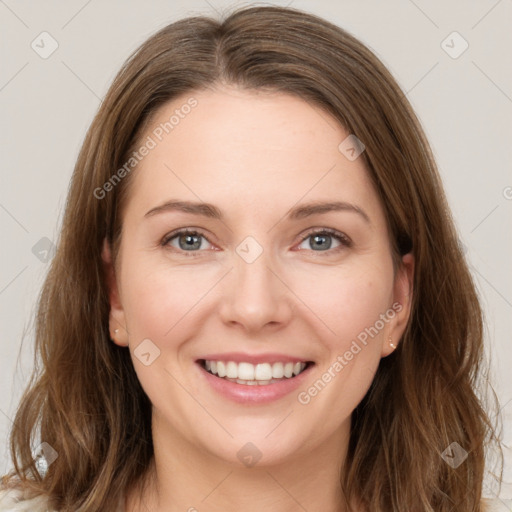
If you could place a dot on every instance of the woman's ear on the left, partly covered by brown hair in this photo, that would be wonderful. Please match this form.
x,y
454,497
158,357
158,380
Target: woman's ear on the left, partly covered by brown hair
x,y
117,322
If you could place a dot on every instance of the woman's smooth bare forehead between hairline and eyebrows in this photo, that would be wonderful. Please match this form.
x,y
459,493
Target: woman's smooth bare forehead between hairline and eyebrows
x,y
247,149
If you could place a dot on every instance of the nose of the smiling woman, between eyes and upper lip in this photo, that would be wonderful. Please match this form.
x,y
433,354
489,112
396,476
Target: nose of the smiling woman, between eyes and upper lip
x,y
255,296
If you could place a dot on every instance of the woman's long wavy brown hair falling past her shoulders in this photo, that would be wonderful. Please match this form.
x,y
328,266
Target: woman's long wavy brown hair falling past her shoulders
x,y
86,398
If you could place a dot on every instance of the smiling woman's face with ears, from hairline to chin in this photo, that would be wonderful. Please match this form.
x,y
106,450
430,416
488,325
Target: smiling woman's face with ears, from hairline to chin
x,y
267,279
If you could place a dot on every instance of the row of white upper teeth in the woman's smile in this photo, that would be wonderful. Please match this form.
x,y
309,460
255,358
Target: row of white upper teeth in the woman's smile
x,y
250,374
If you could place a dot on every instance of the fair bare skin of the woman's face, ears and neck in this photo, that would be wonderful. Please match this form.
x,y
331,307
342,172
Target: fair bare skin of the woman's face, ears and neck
x,y
253,155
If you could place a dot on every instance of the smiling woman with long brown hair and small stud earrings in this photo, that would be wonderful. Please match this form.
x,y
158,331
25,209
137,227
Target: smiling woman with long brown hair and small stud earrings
x,y
258,299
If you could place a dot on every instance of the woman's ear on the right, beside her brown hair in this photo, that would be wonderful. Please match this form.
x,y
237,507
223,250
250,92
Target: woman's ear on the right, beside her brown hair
x,y
402,303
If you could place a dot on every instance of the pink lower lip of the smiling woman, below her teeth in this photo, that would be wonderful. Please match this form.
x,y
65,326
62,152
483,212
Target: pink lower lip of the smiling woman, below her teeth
x,y
255,394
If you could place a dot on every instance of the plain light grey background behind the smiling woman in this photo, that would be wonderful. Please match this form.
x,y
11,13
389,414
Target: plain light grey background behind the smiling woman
x,y
46,105
